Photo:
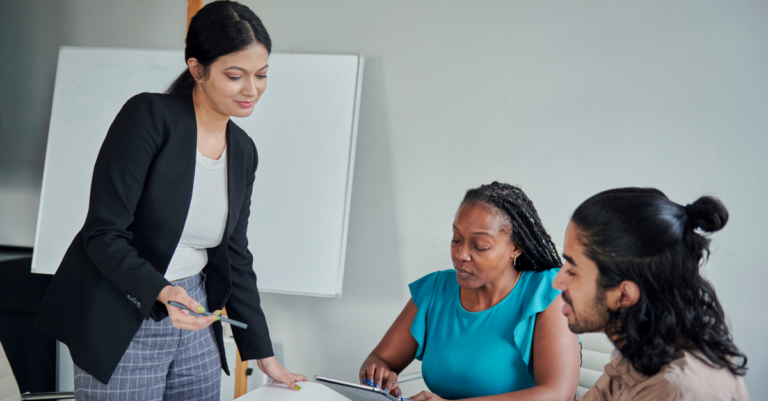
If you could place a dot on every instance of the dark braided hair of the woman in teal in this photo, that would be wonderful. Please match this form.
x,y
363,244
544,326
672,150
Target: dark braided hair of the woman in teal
x,y
538,251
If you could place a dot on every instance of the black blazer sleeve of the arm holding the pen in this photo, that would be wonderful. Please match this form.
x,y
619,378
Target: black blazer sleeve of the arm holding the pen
x,y
118,181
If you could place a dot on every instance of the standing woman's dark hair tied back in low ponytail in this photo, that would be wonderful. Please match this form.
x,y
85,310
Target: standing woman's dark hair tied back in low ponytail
x,y
218,29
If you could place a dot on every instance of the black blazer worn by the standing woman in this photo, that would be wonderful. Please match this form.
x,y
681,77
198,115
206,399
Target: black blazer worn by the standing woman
x,y
112,273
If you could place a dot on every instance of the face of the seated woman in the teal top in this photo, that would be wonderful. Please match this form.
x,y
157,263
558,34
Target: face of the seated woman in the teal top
x,y
482,253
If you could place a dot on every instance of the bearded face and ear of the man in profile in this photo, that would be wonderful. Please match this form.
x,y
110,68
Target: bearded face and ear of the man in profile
x,y
586,304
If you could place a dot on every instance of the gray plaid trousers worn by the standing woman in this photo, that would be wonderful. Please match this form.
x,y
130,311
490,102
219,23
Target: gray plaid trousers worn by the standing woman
x,y
162,362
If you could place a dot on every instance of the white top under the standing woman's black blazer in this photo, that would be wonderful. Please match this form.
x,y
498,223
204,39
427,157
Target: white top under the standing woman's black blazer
x,y
206,219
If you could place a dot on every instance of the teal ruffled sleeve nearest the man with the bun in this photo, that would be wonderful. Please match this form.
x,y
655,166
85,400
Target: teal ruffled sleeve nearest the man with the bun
x,y
538,295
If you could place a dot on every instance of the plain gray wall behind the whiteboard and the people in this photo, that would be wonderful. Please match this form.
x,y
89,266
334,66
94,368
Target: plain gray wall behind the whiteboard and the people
x,y
565,99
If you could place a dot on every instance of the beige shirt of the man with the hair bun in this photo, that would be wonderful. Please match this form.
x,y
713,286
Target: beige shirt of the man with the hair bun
x,y
686,378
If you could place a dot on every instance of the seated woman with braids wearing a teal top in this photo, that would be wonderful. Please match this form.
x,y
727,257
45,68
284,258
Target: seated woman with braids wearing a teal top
x,y
492,327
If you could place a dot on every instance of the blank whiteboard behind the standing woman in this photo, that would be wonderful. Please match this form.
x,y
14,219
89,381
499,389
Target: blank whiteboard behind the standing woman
x,y
304,127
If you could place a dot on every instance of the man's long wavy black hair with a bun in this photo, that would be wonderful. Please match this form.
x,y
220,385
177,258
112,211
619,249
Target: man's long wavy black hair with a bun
x,y
639,235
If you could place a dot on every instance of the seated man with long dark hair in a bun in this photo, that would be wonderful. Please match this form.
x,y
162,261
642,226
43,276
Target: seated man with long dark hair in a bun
x,y
632,271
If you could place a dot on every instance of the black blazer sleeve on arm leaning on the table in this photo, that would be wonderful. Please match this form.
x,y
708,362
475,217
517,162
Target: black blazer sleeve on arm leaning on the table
x,y
244,303
